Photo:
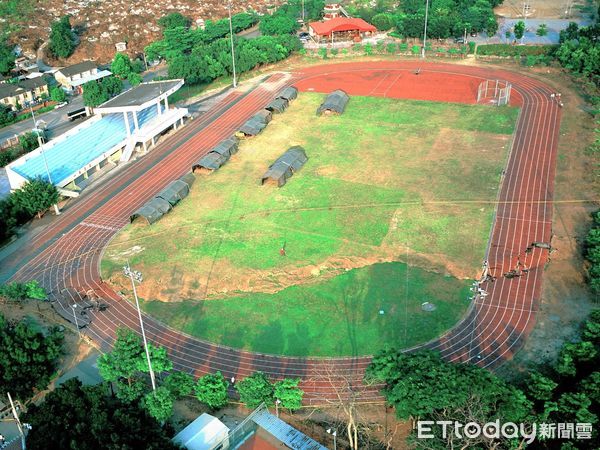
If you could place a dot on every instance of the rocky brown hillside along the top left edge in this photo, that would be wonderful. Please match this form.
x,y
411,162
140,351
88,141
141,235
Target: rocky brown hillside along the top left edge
x,y
103,23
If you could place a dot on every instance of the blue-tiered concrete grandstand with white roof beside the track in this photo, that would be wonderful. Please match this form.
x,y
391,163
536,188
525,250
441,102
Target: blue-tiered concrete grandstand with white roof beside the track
x,y
134,118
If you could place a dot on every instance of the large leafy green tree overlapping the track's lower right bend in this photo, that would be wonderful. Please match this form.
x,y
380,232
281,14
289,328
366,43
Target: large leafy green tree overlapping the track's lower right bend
x,y
422,385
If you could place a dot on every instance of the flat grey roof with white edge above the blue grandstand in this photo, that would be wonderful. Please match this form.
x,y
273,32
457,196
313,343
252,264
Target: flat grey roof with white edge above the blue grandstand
x,y
140,97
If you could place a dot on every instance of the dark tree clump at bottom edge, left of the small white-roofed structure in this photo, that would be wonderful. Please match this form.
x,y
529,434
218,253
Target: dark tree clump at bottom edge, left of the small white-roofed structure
x,y
88,418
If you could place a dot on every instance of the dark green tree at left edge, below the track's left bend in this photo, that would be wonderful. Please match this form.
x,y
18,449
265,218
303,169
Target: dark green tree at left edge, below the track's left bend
x,y
28,358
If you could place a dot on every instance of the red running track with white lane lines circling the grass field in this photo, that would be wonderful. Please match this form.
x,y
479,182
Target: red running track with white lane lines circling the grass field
x,y
68,253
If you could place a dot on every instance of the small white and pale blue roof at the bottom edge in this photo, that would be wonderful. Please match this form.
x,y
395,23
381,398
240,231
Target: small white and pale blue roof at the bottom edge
x,y
204,433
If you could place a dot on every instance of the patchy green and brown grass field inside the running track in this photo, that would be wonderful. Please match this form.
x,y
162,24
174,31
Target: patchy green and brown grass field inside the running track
x,y
388,181
